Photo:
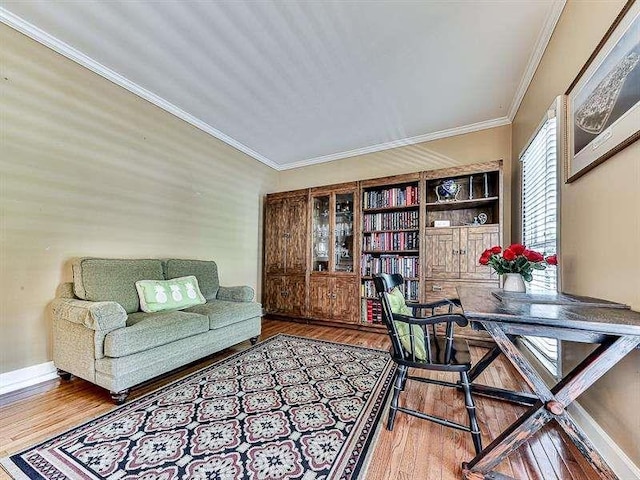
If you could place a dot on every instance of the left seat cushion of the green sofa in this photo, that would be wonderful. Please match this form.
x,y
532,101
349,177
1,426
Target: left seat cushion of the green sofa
x,y
148,330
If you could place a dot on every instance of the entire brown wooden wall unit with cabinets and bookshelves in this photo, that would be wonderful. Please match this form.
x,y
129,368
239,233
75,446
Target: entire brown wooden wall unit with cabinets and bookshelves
x,y
323,245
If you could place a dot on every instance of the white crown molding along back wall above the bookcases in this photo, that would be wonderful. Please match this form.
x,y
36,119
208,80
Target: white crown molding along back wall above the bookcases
x,y
403,142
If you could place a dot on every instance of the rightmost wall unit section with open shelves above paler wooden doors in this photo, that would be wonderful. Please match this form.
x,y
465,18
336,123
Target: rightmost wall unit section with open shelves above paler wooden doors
x,y
468,202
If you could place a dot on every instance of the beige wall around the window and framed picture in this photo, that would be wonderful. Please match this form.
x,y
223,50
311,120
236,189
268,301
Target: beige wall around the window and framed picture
x,y
600,226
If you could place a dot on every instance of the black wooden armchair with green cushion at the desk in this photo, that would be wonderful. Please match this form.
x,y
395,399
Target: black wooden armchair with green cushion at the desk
x,y
416,344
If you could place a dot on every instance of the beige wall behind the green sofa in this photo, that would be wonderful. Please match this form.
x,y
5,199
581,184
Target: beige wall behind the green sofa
x,y
88,168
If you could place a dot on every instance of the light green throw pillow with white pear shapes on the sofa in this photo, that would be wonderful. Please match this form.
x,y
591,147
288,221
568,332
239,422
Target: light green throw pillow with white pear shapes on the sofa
x,y
174,294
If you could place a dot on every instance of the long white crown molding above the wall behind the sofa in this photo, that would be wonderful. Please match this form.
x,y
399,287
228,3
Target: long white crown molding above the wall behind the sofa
x,y
71,53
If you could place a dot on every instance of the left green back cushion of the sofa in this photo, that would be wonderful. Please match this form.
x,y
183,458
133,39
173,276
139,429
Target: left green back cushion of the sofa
x,y
113,279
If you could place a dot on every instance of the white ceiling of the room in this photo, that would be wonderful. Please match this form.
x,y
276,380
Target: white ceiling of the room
x,y
296,83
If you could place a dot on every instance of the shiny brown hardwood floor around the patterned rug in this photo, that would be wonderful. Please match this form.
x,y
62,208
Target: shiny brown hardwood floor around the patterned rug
x,y
414,449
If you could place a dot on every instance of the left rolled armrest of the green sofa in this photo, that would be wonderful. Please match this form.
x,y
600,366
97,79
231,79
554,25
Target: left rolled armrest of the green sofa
x,y
98,316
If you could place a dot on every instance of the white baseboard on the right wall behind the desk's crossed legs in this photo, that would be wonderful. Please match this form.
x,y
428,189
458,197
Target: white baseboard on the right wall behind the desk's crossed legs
x,y
619,462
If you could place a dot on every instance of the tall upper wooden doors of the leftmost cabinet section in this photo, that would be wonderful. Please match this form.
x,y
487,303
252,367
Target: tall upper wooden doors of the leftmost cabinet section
x,y
285,245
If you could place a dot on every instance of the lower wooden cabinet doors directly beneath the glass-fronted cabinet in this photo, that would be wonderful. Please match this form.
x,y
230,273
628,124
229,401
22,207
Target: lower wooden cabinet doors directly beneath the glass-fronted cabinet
x,y
333,298
